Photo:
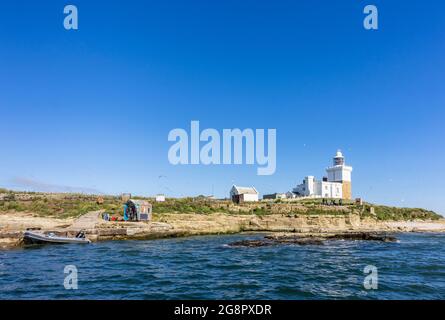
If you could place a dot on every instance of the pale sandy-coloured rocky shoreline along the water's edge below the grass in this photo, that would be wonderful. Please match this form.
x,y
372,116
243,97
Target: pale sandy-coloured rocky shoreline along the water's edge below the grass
x,y
283,229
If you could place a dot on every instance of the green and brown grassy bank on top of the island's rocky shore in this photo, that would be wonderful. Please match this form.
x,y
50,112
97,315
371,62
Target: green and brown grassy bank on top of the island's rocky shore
x,y
75,205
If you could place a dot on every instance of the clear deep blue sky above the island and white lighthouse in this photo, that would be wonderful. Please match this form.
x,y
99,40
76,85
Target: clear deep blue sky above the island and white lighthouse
x,y
91,109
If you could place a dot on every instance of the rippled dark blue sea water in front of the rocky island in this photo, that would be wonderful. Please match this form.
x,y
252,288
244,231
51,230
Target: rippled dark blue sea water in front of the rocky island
x,y
208,268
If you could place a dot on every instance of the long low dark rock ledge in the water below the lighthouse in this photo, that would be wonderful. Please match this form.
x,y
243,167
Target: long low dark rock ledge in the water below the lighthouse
x,y
313,239
